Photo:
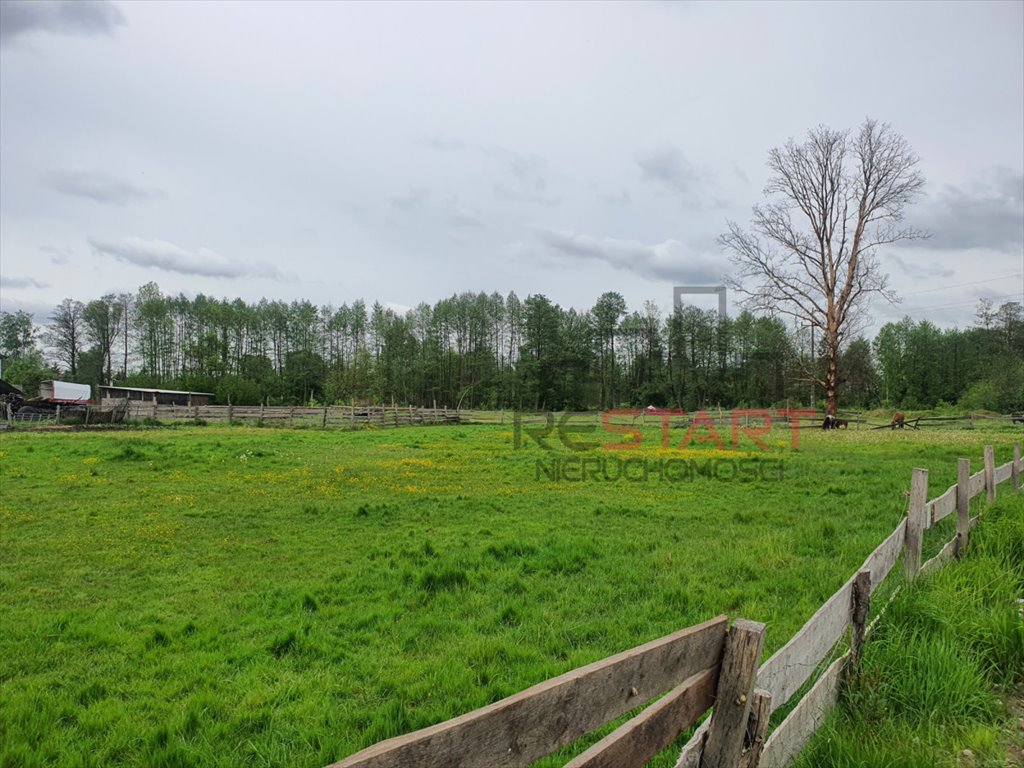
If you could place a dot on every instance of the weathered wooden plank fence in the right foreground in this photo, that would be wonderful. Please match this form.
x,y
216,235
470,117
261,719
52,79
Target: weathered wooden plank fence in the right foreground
x,y
708,667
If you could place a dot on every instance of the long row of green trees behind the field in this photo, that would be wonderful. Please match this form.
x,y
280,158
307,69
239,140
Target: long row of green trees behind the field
x,y
487,351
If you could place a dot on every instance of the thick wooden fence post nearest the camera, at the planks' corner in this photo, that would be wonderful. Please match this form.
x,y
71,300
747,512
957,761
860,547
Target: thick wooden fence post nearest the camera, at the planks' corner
x,y
733,700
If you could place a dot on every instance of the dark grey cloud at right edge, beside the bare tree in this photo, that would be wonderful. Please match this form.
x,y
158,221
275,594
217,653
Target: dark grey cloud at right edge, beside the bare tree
x,y
990,215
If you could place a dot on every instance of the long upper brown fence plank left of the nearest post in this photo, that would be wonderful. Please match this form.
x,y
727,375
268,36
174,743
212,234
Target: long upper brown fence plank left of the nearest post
x,y
533,723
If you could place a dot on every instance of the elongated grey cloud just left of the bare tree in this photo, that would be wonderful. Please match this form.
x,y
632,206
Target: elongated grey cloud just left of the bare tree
x,y
667,261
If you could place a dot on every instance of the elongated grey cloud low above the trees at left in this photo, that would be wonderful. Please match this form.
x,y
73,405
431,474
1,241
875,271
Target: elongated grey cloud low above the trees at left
x,y
173,259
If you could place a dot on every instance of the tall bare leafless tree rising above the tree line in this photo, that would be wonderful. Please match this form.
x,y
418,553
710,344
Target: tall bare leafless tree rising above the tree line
x,y
813,250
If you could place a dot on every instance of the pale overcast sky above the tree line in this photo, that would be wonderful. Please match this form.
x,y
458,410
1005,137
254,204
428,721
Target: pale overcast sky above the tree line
x,y
403,153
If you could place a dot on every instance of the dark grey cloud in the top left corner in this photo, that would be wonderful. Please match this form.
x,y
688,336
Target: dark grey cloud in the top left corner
x,y
58,17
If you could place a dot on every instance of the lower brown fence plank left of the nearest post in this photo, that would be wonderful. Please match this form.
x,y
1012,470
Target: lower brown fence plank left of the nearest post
x,y
635,743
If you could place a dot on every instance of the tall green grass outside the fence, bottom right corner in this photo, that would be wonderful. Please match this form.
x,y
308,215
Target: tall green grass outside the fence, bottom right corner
x,y
944,660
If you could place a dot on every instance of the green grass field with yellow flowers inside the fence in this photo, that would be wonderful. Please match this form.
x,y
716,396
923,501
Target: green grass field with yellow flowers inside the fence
x,y
224,596
